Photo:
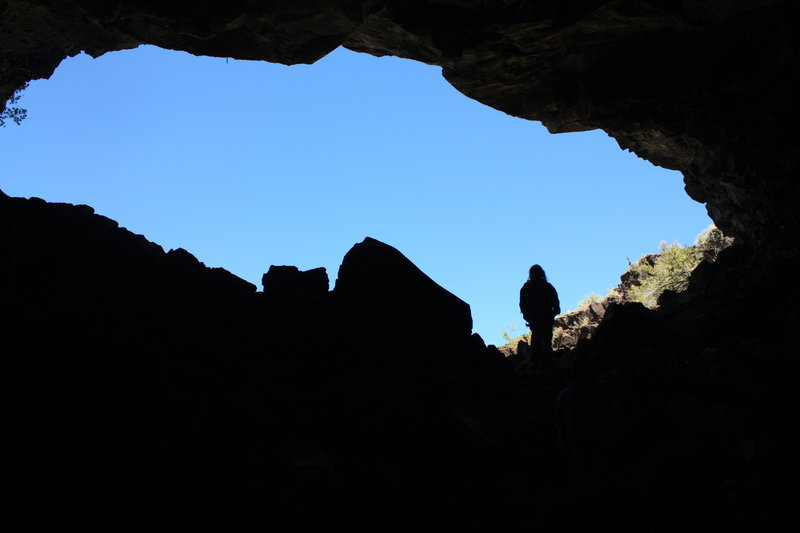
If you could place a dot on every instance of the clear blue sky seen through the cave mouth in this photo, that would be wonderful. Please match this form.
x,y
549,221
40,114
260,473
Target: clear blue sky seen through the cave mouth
x,y
249,164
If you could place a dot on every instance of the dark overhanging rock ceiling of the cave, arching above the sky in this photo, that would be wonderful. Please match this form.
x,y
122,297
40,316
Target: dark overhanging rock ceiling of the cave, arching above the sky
x,y
705,87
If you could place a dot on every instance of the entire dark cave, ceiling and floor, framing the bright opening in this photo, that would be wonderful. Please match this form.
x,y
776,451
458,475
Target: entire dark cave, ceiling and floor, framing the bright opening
x,y
145,385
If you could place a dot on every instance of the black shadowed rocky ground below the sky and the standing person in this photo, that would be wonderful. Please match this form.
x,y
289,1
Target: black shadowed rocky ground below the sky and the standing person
x,y
146,387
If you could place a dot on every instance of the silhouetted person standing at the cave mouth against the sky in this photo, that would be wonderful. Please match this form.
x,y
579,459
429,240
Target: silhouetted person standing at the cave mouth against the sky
x,y
538,302
